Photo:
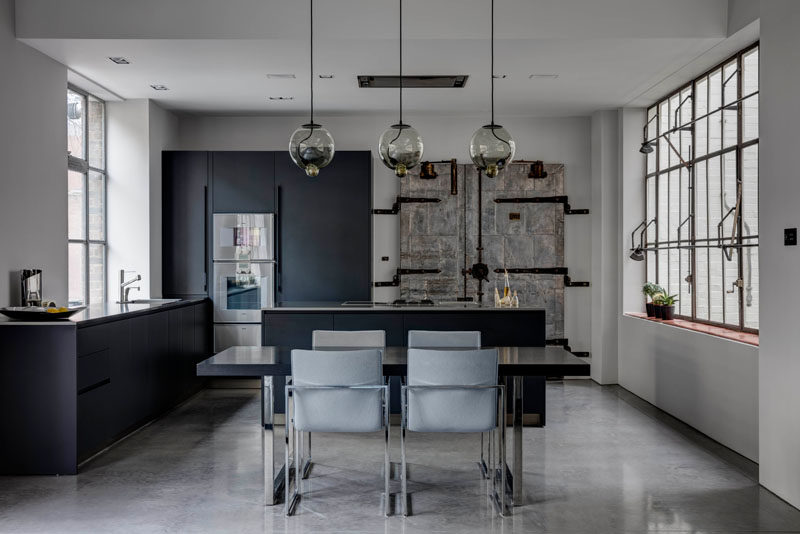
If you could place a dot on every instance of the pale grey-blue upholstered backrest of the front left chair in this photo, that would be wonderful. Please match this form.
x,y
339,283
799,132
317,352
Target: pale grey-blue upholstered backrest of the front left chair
x,y
337,410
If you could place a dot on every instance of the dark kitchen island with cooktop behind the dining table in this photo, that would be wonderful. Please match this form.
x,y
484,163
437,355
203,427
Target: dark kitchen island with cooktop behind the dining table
x,y
291,324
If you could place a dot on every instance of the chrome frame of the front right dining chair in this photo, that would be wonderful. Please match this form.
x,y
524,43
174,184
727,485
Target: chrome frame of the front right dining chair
x,y
498,472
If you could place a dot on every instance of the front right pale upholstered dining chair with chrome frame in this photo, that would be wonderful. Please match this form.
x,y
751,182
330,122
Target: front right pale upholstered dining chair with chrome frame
x,y
455,391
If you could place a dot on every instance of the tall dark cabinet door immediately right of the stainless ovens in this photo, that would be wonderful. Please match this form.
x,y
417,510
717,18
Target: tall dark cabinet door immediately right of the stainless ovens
x,y
324,246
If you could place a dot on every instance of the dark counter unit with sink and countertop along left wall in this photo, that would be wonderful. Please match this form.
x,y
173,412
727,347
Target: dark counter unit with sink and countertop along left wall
x,y
70,388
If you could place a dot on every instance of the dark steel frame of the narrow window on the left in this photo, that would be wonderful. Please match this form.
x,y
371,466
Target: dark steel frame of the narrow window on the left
x,y
81,165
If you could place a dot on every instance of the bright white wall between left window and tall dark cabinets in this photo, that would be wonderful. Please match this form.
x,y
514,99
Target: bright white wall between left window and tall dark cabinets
x,y
137,132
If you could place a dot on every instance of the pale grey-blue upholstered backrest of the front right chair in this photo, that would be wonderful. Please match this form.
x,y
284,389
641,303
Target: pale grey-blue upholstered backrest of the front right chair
x,y
454,410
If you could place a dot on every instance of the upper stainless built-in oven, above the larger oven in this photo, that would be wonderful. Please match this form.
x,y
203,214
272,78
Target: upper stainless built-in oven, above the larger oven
x,y
244,236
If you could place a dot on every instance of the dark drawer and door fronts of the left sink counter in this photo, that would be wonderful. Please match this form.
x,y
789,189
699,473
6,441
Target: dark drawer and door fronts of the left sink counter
x,y
133,369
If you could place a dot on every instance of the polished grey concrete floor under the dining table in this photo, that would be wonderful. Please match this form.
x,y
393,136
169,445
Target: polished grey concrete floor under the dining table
x,y
606,462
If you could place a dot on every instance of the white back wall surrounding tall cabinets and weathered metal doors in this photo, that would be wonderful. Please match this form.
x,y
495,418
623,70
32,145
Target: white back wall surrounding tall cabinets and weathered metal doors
x,y
565,140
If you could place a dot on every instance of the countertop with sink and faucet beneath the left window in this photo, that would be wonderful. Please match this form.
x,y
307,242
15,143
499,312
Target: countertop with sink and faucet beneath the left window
x,y
106,312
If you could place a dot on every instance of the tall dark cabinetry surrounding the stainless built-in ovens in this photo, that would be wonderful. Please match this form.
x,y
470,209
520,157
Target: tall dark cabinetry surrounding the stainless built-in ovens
x,y
323,235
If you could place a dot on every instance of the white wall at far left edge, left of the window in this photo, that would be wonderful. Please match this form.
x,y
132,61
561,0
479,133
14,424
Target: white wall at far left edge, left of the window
x,y
33,173
